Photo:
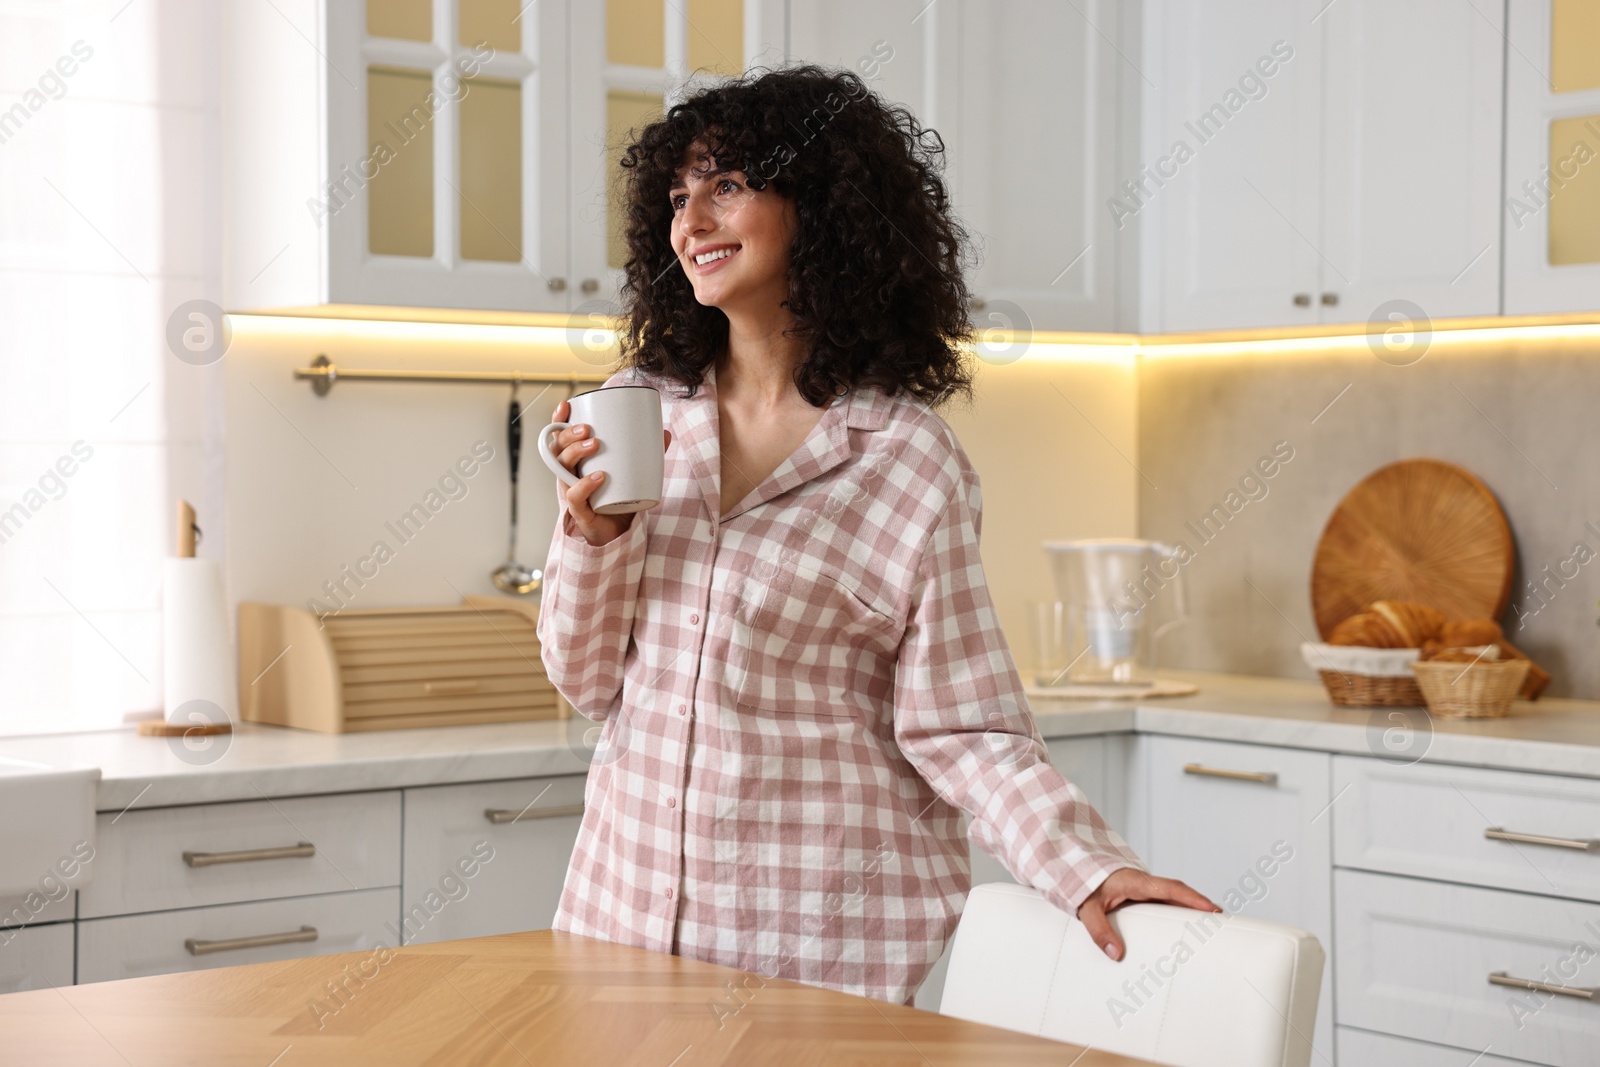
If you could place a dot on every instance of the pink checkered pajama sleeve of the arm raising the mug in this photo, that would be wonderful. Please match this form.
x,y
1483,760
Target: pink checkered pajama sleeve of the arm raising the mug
x,y
586,613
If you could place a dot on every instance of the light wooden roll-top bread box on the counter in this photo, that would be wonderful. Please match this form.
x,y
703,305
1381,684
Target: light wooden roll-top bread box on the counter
x,y
393,668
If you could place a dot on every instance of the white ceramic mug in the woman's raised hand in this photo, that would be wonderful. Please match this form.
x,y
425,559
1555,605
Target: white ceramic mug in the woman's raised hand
x,y
626,420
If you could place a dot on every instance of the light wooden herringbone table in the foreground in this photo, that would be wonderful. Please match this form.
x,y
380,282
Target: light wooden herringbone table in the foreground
x,y
519,1001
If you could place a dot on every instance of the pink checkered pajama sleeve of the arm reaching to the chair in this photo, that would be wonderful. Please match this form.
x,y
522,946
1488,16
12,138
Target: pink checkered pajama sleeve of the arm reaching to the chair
x,y
962,721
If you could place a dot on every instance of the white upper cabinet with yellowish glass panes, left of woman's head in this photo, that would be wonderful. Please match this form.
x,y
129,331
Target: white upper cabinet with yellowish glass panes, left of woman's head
x,y
454,154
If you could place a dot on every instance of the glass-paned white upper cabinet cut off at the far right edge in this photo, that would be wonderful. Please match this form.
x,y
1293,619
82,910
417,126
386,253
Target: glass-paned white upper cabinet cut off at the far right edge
x,y
1553,158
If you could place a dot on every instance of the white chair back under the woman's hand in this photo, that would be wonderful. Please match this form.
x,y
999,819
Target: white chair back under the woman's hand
x,y
1194,989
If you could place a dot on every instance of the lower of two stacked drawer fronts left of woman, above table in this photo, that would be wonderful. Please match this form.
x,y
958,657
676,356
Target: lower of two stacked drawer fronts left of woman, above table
x,y
134,946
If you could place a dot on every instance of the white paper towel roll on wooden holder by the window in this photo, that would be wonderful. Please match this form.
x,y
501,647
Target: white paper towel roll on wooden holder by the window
x,y
196,649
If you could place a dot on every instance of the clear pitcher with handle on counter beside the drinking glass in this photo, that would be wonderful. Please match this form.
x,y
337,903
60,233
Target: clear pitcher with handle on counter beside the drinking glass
x,y
1119,599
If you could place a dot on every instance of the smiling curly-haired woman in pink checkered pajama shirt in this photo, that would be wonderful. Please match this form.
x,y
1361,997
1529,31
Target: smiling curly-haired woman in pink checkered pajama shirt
x,y
794,655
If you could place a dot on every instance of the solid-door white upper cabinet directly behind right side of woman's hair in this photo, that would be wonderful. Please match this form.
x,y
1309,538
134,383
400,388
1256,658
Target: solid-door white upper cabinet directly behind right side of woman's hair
x,y
1028,98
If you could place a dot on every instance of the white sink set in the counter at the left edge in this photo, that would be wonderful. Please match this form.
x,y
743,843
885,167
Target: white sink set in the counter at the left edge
x,y
47,826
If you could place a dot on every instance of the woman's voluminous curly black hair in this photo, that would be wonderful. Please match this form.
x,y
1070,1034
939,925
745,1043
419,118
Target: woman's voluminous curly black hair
x,y
876,273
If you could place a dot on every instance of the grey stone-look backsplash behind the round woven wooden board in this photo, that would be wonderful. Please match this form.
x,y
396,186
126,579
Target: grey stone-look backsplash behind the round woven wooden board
x,y
1518,412
